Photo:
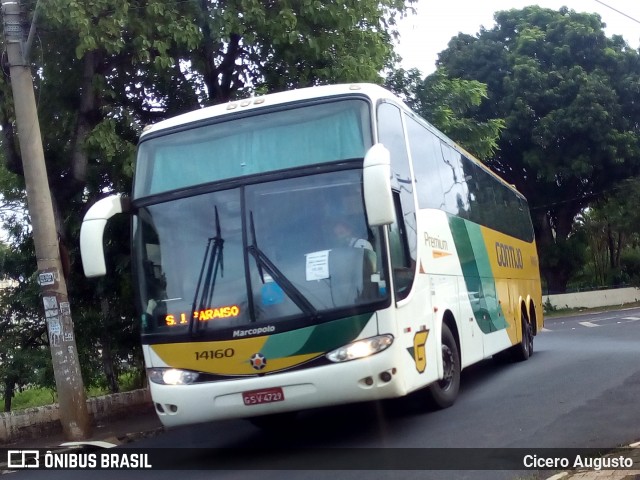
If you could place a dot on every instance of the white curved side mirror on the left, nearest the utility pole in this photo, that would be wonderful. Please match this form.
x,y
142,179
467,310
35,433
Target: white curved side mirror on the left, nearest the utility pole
x,y
92,230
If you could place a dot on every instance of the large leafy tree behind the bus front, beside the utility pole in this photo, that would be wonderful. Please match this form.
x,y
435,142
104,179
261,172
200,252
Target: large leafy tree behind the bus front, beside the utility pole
x,y
122,65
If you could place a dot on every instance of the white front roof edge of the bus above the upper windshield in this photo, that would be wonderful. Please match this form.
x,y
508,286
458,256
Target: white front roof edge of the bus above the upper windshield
x,y
374,92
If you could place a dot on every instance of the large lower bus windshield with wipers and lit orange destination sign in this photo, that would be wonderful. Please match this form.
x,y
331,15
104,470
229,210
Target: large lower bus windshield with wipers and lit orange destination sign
x,y
262,255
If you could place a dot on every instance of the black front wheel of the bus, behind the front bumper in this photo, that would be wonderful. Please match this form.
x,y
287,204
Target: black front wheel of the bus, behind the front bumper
x,y
443,393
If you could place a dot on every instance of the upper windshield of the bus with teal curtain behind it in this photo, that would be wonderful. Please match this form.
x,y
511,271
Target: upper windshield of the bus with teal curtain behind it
x,y
254,144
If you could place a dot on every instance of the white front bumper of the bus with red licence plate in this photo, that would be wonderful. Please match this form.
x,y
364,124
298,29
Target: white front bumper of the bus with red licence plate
x,y
366,379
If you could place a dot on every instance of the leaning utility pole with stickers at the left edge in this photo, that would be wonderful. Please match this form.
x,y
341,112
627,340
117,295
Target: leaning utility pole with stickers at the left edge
x,y
74,415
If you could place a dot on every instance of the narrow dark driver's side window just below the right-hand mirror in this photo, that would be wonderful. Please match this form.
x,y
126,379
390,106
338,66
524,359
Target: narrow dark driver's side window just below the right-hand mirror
x,y
401,264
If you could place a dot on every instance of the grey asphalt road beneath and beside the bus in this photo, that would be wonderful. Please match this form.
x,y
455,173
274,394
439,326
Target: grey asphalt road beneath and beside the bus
x,y
581,388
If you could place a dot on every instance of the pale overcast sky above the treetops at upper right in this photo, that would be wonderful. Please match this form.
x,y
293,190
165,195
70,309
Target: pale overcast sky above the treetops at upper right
x,y
427,33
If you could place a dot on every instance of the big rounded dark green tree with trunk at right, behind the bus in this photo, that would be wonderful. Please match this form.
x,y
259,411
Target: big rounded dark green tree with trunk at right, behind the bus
x,y
570,99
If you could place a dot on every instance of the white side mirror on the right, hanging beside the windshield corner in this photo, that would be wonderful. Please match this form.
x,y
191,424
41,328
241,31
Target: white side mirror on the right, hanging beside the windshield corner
x,y
376,178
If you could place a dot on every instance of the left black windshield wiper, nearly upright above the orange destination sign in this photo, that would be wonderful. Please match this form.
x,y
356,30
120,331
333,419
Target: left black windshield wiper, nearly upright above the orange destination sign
x,y
212,262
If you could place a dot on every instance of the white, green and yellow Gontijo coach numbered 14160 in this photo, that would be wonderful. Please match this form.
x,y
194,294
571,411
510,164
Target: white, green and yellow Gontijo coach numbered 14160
x,y
250,303
